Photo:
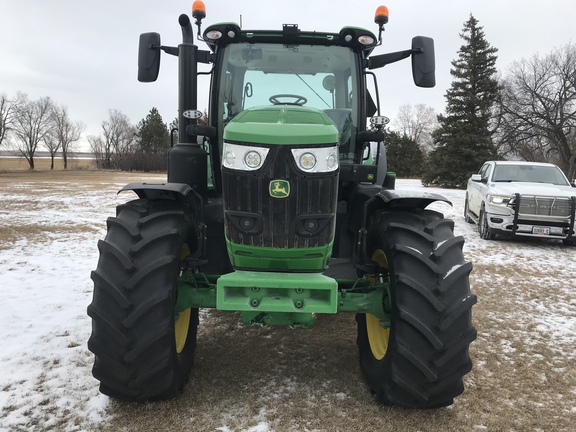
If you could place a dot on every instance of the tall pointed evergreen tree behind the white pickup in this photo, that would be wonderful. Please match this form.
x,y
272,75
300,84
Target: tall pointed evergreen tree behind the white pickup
x,y
464,139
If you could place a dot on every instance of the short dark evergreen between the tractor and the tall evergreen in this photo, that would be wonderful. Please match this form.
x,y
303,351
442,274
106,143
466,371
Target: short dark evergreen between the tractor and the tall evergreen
x,y
404,155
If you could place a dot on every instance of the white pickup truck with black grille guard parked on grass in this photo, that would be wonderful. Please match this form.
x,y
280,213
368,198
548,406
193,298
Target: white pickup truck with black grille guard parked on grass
x,y
512,198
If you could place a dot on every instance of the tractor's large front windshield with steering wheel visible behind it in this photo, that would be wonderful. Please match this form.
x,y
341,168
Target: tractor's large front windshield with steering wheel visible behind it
x,y
264,74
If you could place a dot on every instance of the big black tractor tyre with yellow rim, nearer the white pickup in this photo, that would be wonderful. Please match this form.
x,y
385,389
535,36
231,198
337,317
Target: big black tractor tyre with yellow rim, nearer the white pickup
x,y
418,358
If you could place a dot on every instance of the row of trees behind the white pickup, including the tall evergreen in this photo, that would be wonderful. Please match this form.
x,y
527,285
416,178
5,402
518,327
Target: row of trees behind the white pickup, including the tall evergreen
x,y
529,114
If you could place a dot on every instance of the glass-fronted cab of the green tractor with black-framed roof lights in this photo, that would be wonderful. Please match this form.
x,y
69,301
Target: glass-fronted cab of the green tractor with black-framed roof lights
x,y
290,68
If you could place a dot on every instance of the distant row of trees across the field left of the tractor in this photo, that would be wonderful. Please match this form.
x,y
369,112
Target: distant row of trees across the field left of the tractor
x,y
27,126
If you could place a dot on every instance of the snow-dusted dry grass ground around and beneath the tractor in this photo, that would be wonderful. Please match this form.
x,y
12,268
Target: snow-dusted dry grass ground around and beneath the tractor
x,y
275,379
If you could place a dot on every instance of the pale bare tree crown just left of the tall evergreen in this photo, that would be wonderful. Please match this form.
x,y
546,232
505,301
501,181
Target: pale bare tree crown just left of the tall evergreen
x,y
417,123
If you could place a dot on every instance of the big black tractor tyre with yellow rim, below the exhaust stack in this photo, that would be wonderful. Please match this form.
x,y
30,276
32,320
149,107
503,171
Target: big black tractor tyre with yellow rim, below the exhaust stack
x,y
143,349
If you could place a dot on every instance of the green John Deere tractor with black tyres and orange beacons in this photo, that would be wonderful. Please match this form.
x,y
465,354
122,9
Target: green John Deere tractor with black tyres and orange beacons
x,y
279,207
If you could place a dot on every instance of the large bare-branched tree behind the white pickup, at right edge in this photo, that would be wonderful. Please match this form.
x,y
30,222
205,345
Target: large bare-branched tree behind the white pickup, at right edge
x,y
538,109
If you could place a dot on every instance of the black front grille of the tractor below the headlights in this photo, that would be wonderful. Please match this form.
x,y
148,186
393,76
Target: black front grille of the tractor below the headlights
x,y
310,194
